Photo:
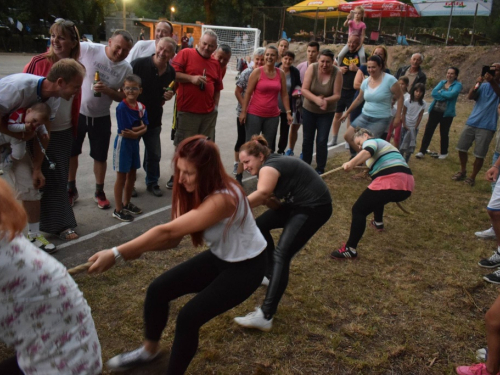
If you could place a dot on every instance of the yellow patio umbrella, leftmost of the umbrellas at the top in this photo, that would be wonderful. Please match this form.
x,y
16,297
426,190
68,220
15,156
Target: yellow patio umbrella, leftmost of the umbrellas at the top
x,y
317,9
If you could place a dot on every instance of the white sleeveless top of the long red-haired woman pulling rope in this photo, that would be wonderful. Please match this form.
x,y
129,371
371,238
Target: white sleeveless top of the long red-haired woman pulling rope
x,y
240,241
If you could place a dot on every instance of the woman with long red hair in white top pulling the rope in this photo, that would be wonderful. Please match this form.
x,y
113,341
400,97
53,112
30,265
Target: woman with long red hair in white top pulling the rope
x,y
210,206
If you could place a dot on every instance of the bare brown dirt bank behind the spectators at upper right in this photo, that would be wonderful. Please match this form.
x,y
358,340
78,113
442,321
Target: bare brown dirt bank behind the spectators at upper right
x,y
469,60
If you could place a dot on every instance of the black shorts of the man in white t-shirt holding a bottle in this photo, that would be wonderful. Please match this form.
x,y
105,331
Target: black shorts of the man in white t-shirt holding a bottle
x,y
99,129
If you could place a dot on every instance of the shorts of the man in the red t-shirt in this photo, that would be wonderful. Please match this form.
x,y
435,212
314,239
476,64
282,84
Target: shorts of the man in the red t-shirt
x,y
189,124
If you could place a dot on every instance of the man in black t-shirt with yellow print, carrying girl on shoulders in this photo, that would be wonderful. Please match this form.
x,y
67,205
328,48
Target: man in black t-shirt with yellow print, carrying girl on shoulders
x,y
349,67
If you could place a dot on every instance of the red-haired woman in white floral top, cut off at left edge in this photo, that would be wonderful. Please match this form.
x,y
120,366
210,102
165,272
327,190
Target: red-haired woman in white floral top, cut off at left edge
x,y
43,314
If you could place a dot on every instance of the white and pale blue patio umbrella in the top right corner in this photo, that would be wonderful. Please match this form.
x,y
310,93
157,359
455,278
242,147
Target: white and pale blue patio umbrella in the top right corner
x,y
474,8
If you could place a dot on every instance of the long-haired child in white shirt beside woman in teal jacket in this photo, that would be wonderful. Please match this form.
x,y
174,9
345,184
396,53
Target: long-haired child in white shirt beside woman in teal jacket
x,y
413,112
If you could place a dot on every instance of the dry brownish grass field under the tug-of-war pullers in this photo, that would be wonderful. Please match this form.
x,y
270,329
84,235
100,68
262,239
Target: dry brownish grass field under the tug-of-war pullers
x,y
413,303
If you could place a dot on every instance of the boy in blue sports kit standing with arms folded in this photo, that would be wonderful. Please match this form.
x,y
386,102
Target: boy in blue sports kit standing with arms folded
x,y
132,120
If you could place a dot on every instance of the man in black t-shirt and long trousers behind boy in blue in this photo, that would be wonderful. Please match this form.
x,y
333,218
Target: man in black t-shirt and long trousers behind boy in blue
x,y
156,74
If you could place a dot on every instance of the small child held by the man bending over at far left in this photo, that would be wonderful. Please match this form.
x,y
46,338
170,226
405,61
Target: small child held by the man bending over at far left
x,y
24,120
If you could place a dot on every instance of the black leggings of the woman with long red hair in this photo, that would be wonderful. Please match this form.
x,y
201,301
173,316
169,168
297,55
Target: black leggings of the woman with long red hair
x,y
219,285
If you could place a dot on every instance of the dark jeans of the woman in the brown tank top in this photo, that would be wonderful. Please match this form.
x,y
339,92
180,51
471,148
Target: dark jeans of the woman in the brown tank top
x,y
312,123
